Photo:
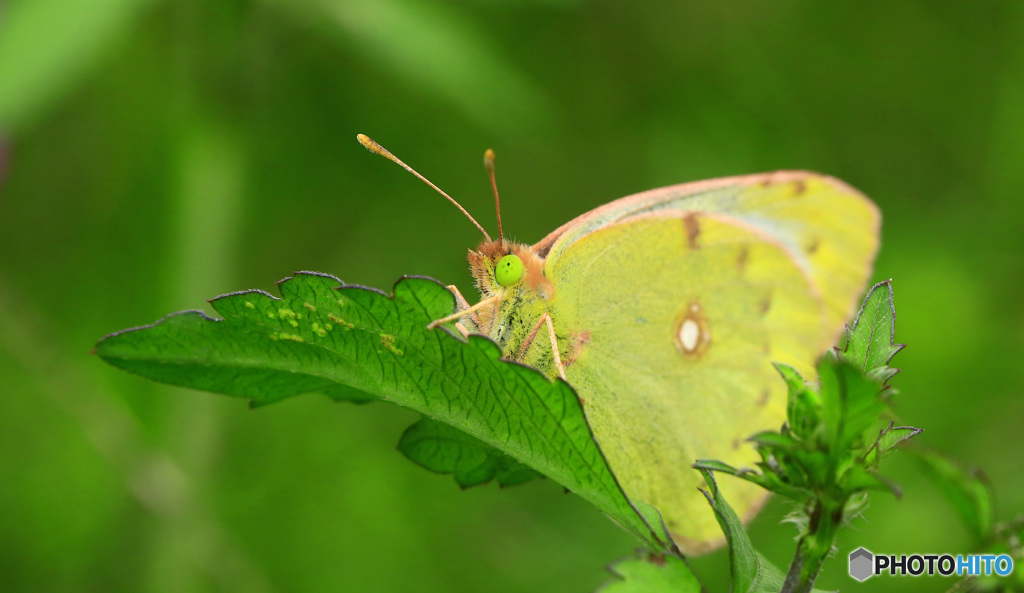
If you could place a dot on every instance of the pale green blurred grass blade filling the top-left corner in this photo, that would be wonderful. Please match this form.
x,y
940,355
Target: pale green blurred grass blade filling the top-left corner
x,y
48,46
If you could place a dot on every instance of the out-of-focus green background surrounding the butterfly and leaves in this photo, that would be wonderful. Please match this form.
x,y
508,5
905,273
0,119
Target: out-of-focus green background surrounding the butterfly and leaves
x,y
160,153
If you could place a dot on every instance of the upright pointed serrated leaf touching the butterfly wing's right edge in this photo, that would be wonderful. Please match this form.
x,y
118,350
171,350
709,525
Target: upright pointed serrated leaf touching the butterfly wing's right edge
x,y
872,340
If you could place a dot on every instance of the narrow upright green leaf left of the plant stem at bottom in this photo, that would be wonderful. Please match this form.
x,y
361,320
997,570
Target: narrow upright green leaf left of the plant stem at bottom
x,y
752,573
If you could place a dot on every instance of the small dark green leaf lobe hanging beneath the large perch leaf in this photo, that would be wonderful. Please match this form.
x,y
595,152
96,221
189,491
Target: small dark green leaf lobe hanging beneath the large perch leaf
x,y
440,448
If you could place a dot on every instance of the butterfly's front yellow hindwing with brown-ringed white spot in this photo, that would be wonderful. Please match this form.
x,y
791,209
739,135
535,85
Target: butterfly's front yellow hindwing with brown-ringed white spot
x,y
669,322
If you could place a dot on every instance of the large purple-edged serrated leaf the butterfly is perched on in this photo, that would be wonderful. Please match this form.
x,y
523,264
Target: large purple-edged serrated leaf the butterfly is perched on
x,y
322,334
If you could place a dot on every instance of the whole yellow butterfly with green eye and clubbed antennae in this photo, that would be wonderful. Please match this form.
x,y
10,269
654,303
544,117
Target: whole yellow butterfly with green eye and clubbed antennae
x,y
665,310
